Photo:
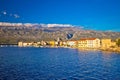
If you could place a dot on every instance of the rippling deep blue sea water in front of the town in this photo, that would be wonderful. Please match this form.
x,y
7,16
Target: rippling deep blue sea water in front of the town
x,y
29,63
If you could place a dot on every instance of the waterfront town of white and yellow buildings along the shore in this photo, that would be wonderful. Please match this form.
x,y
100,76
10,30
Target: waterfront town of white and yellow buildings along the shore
x,y
85,43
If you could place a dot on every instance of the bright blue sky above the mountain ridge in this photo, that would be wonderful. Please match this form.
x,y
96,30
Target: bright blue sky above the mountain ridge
x,y
101,15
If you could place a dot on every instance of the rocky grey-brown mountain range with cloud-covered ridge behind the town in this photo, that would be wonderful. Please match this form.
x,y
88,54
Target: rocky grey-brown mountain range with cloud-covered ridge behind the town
x,y
11,33
